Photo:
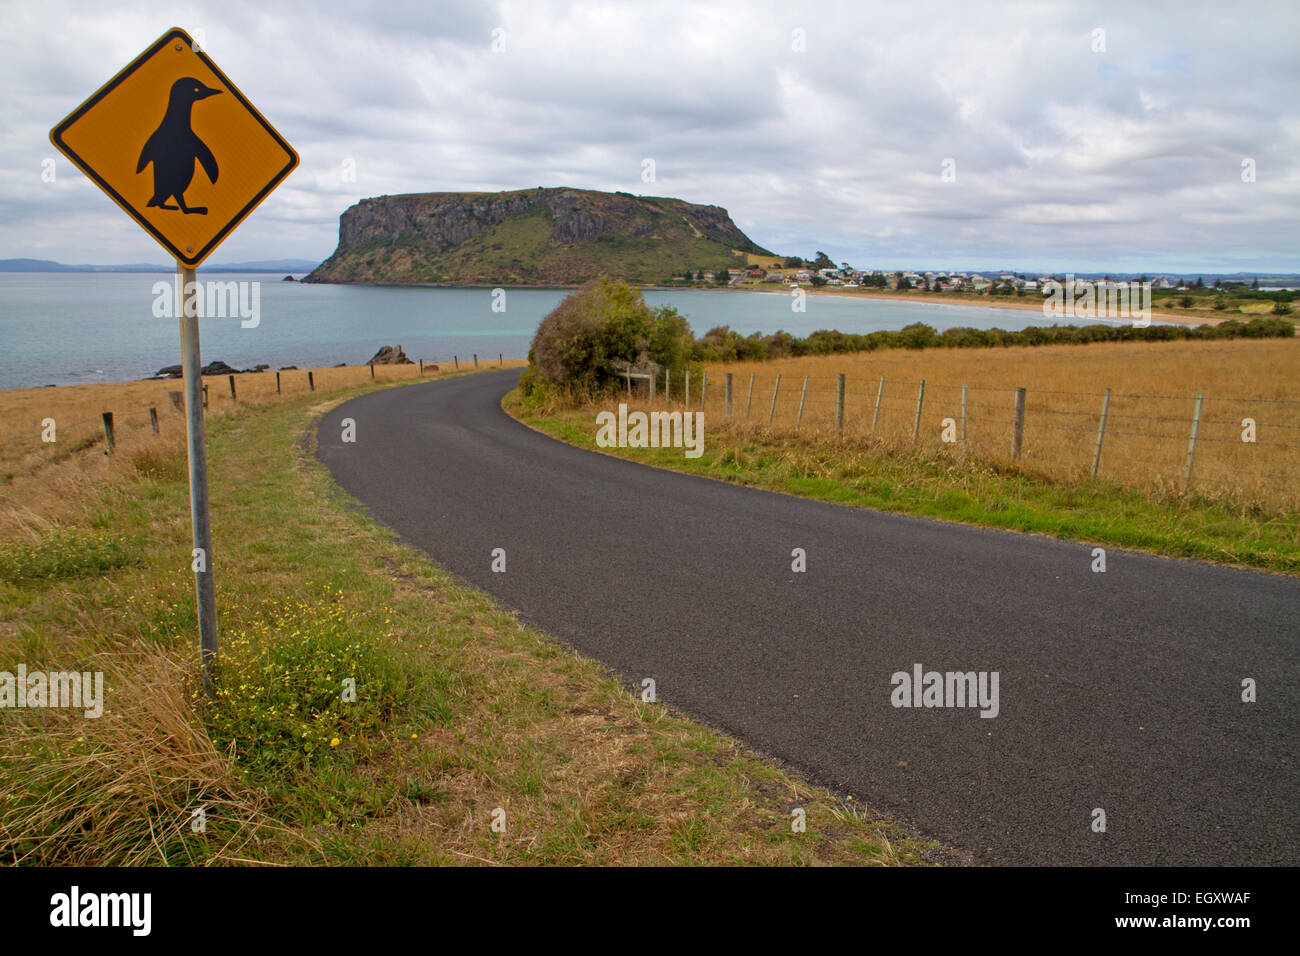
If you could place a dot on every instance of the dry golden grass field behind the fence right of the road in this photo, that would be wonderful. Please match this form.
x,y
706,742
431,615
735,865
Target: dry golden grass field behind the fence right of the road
x,y
1150,422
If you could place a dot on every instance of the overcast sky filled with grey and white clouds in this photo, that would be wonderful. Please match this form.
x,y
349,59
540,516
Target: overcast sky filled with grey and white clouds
x,y
818,127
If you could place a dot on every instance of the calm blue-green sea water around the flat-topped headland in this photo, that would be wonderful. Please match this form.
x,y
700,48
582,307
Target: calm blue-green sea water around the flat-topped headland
x,y
75,328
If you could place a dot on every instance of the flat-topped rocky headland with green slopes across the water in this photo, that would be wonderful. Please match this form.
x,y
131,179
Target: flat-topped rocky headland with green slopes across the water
x,y
530,237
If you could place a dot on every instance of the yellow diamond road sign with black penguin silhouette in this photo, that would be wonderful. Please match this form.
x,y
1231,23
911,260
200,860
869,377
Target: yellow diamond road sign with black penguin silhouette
x,y
177,146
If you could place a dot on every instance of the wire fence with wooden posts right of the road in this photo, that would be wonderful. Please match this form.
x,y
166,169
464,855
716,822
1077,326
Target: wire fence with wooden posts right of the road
x,y
1243,448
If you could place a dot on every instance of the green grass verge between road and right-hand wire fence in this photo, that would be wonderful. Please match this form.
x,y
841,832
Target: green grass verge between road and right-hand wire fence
x,y
937,487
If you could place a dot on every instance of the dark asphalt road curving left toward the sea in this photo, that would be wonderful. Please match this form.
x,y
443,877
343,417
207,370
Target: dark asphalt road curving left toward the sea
x,y
1117,691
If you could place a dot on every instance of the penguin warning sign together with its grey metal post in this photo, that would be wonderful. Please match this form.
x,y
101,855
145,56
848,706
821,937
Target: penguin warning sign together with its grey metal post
x,y
175,144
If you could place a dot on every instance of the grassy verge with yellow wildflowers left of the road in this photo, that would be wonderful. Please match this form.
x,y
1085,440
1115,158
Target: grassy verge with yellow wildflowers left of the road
x,y
461,710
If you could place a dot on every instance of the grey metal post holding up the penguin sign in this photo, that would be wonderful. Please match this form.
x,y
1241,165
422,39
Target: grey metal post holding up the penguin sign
x,y
201,524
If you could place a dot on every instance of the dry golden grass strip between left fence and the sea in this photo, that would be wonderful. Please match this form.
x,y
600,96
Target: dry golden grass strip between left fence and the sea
x,y
40,481
